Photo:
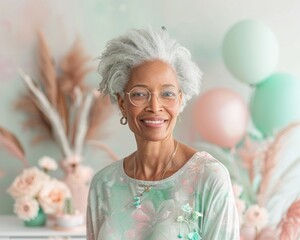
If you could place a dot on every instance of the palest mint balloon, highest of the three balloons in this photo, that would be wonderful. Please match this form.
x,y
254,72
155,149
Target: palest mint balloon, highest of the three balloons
x,y
250,51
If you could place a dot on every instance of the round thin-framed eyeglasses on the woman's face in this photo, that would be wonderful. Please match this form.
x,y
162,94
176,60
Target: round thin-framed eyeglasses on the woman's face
x,y
140,96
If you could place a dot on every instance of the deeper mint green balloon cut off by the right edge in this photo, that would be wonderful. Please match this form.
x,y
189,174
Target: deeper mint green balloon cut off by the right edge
x,y
275,103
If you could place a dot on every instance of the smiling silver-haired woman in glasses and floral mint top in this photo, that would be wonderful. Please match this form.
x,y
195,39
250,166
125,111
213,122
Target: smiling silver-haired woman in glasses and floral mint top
x,y
165,189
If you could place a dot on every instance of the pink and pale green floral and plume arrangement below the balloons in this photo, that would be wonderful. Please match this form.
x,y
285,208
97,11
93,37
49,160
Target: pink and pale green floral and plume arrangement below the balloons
x,y
265,180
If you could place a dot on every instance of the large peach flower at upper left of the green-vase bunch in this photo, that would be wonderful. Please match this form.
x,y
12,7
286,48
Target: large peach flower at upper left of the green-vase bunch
x,y
28,183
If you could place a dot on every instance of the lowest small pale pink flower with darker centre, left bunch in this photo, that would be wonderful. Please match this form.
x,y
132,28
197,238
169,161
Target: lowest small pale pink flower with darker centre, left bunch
x,y
26,208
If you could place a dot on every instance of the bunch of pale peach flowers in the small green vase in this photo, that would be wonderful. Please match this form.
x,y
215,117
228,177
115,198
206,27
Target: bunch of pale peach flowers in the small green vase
x,y
34,188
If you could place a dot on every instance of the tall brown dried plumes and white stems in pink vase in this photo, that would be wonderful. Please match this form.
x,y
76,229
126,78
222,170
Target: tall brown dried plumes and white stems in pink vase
x,y
67,111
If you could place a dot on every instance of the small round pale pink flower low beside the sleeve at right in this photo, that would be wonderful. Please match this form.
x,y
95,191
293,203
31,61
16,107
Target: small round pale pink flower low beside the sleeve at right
x,y
256,217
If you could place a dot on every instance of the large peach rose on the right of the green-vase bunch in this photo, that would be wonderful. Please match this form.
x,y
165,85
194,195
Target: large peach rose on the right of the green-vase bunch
x,y
53,195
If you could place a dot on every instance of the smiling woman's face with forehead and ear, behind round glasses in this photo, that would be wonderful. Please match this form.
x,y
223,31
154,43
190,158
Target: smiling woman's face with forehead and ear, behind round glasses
x,y
153,120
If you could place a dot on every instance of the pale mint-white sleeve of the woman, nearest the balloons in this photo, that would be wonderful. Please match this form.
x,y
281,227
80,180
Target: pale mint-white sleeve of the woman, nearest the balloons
x,y
220,218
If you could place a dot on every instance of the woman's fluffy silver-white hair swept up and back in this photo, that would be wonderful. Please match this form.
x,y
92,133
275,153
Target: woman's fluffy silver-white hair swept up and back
x,y
137,46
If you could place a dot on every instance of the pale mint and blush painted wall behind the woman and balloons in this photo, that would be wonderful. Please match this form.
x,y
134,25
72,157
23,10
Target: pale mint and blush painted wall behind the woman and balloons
x,y
199,25
